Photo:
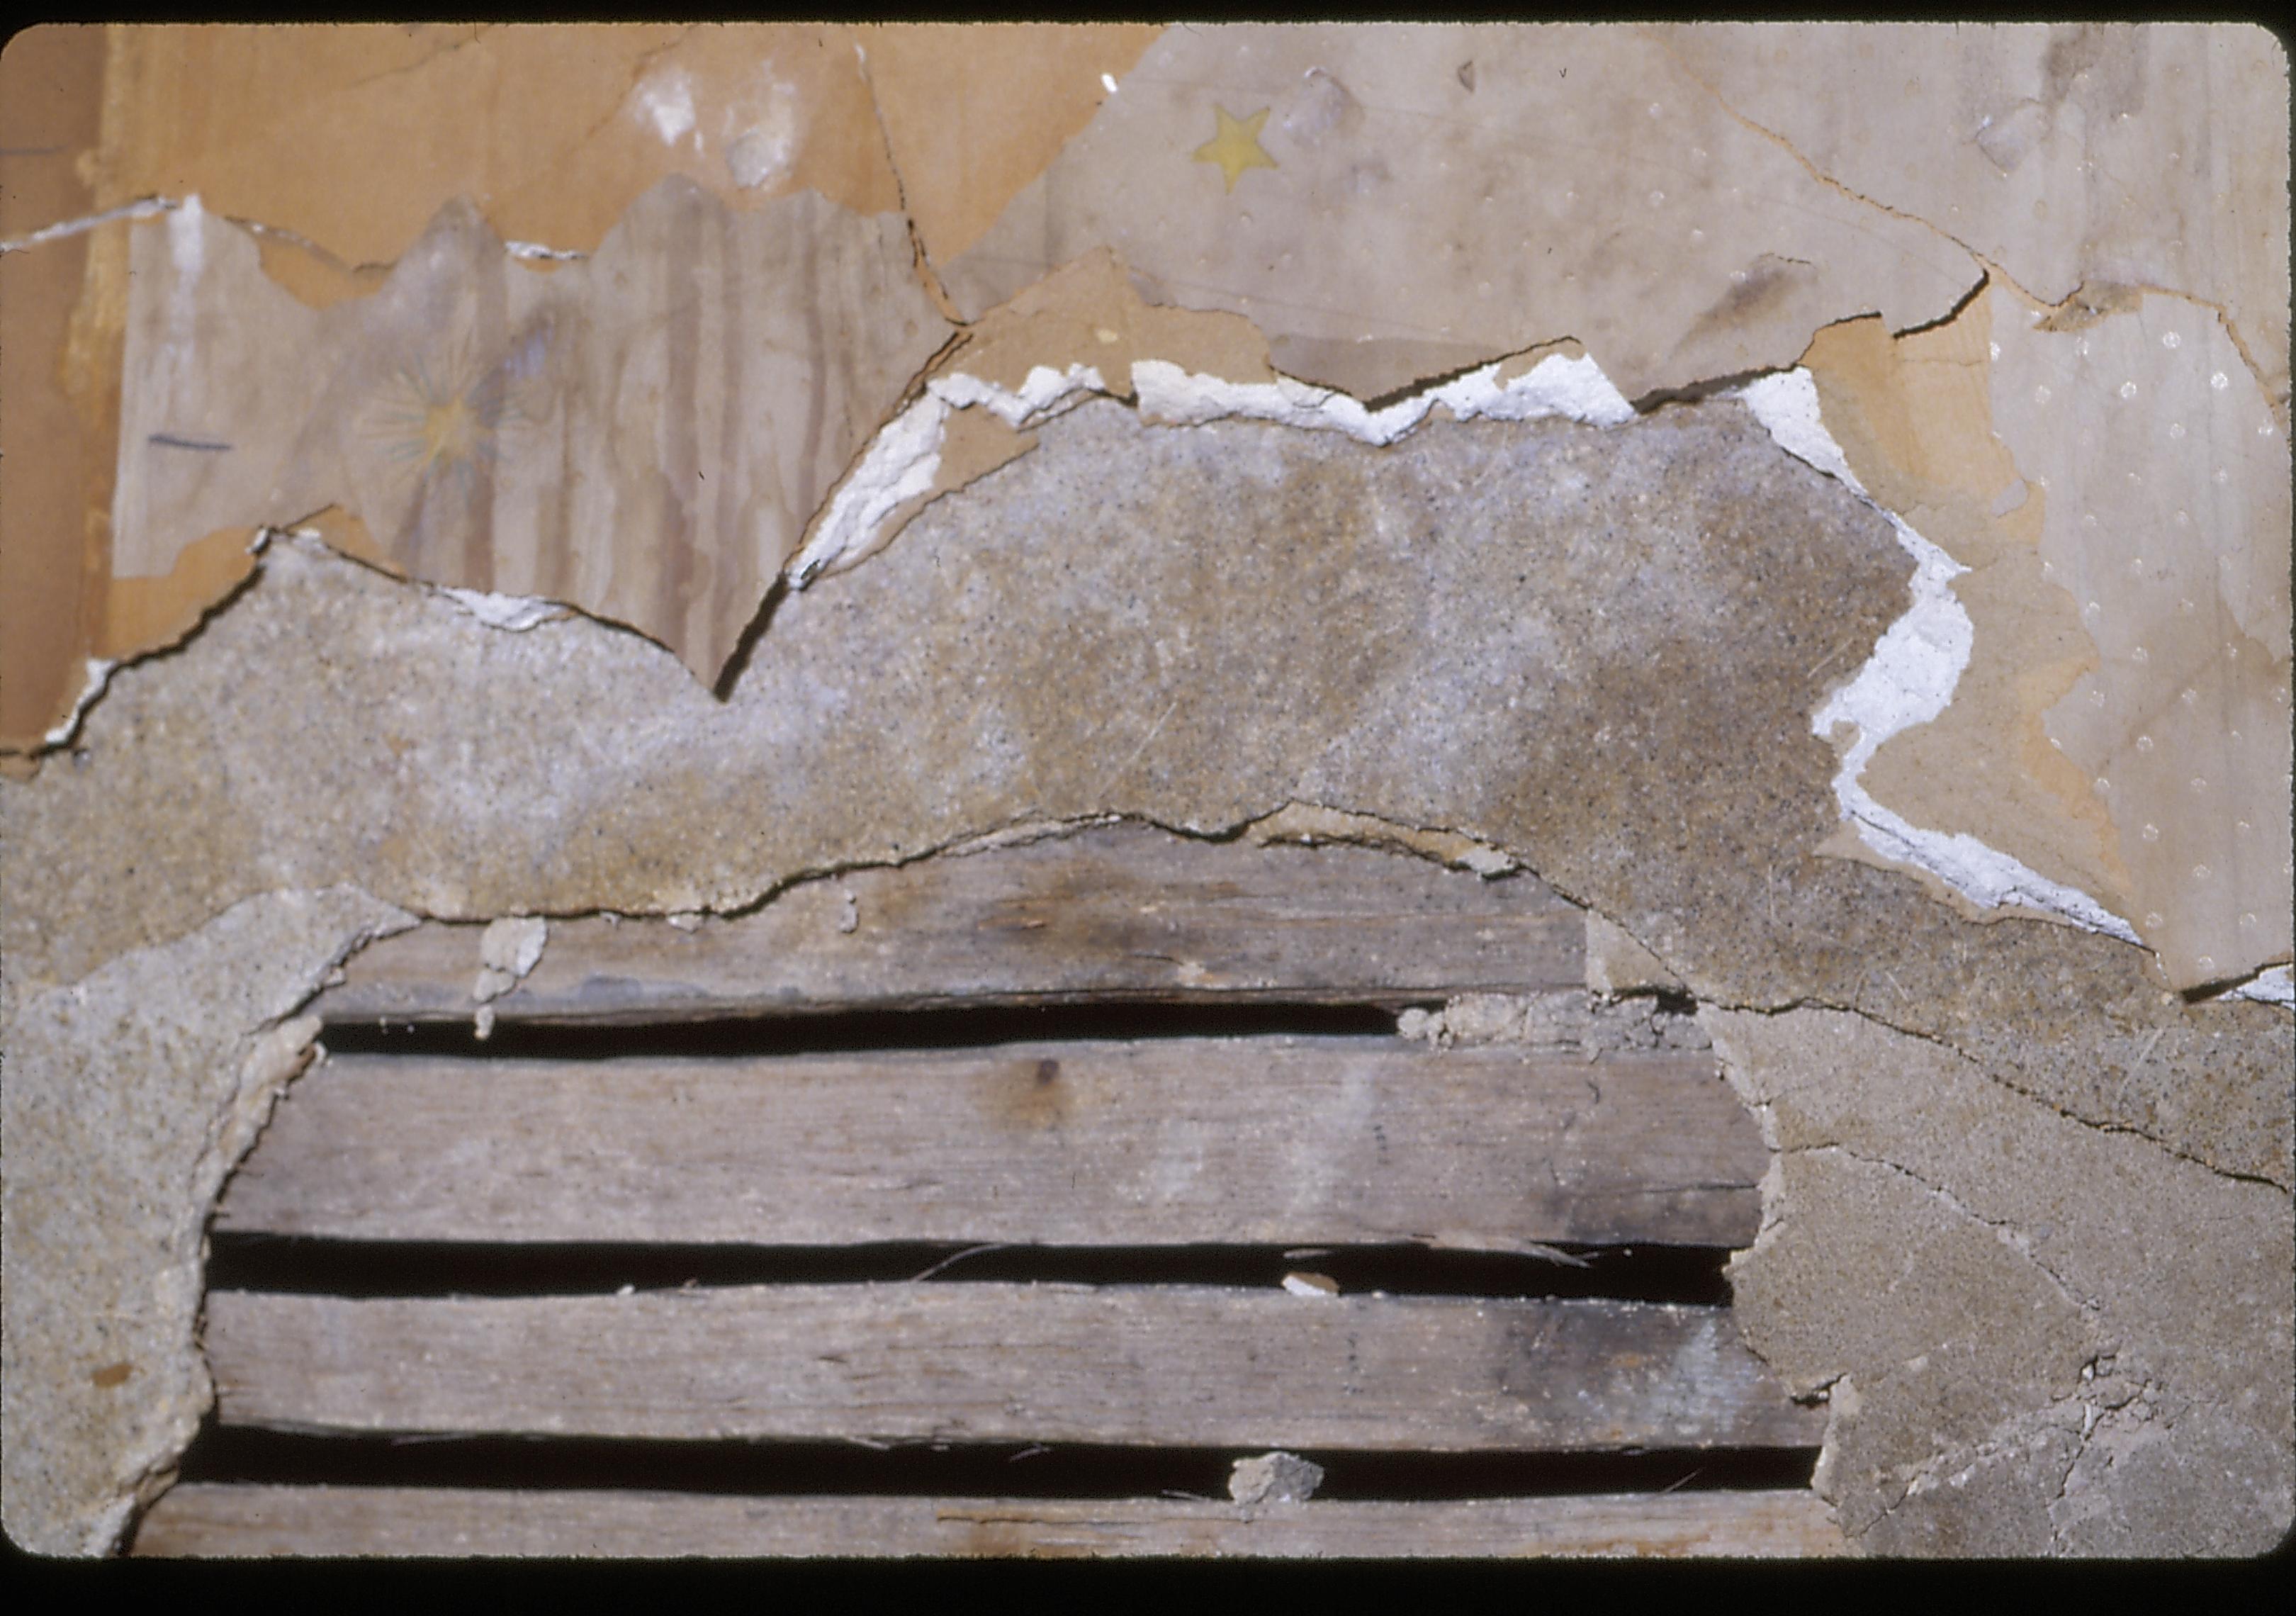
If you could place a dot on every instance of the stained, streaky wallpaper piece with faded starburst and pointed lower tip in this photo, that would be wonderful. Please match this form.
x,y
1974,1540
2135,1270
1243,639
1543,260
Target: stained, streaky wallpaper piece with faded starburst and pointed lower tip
x,y
639,435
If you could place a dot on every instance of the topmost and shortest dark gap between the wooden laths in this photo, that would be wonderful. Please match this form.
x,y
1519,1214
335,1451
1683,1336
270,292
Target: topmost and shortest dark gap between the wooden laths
x,y
853,1032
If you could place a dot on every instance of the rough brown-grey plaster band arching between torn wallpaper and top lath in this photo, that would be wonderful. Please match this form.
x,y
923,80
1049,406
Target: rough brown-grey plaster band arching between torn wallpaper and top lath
x,y
1480,609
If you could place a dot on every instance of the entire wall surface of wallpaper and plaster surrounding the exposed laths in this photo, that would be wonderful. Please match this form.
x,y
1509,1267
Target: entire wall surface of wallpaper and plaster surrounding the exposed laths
x,y
1539,586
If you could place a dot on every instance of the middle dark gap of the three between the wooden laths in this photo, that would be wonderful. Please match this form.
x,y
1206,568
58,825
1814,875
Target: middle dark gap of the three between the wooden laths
x,y
350,1268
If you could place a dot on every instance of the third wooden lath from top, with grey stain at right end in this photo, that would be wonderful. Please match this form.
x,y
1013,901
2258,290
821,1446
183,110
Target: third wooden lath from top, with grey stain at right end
x,y
991,1362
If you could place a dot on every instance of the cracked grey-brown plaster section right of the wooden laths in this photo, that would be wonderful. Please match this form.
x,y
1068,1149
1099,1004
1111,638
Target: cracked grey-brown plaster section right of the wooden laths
x,y
2074,1321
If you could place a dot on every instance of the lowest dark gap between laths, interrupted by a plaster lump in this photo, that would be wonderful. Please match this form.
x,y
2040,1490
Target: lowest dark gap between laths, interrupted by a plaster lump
x,y
233,1454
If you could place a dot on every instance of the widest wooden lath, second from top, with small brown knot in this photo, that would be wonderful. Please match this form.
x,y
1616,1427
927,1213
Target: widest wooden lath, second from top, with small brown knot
x,y
1163,1142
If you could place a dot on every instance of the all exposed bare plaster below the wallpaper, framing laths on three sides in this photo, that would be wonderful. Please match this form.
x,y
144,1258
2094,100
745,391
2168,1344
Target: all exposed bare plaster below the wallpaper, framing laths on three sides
x,y
1592,648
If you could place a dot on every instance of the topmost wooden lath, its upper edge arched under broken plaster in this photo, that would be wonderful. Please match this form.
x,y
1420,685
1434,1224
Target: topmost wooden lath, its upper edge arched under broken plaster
x,y
1115,912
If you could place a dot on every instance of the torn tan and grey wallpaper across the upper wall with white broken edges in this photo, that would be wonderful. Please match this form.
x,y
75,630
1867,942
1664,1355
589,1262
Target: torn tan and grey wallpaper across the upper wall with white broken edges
x,y
1262,224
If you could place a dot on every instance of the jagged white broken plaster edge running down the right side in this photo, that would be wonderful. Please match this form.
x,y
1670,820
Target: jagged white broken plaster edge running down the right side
x,y
1907,683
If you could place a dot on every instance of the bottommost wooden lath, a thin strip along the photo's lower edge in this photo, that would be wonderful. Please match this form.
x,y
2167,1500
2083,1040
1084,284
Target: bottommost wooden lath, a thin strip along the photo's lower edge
x,y
226,1521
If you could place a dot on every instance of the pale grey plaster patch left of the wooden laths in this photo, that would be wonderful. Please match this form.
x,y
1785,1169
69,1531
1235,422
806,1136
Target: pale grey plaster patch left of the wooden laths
x,y
132,1094
